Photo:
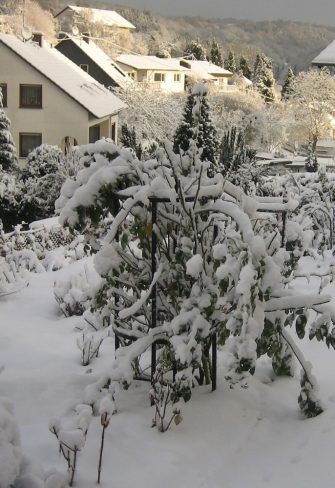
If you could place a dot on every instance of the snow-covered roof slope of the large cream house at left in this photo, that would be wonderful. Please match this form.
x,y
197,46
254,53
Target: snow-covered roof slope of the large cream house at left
x,y
71,79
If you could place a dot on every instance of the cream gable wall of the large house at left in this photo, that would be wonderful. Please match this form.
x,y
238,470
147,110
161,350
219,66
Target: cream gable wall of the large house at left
x,y
59,116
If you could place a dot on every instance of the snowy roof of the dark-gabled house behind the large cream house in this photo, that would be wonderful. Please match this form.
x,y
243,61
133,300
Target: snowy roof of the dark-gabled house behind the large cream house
x,y
96,54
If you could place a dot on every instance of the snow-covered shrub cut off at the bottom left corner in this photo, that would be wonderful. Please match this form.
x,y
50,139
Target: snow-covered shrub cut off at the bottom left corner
x,y
10,450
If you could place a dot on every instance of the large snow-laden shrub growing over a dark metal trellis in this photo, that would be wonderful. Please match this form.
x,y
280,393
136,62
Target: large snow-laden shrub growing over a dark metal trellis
x,y
213,274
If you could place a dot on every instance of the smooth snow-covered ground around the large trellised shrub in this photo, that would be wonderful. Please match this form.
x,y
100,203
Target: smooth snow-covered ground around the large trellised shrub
x,y
231,438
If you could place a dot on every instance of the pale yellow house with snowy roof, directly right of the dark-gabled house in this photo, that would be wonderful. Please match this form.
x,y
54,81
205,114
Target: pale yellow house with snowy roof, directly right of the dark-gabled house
x,y
163,74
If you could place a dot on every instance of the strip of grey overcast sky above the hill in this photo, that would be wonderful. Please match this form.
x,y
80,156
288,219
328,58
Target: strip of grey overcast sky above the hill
x,y
317,11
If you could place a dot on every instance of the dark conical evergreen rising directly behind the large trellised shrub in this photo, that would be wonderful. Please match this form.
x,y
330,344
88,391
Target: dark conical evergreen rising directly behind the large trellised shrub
x,y
197,125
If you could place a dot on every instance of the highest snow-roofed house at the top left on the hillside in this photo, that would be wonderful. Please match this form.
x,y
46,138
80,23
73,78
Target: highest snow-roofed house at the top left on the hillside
x,y
72,16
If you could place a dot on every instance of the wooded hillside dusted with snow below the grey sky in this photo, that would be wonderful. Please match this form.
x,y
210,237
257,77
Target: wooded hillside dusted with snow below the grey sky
x,y
287,43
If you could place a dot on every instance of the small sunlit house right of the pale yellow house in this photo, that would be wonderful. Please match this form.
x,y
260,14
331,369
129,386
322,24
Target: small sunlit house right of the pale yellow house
x,y
216,77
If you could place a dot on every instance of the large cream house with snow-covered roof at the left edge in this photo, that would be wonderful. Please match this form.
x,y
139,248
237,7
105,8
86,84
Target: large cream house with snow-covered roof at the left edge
x,y
51,100
